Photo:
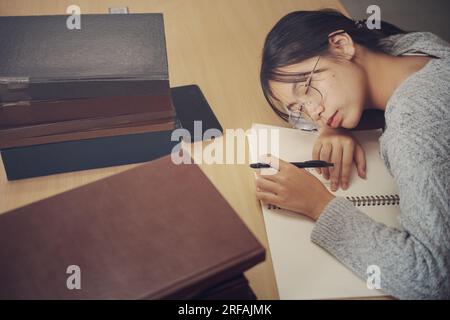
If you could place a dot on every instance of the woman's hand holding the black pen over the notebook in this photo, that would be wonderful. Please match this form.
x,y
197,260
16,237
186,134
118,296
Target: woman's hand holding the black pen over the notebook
x,y
292,189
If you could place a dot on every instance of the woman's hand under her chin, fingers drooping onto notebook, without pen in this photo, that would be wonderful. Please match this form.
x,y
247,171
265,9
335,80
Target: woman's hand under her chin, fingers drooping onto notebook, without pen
x,y
338,146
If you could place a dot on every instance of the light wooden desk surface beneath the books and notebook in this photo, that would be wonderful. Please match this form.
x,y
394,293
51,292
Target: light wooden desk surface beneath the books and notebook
x,y
216,44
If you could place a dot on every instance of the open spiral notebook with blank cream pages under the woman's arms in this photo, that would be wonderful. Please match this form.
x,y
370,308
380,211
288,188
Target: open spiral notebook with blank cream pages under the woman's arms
x,y
304,270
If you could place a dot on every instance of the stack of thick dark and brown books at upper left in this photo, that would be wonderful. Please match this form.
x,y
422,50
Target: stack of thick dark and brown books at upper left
x,y
74,99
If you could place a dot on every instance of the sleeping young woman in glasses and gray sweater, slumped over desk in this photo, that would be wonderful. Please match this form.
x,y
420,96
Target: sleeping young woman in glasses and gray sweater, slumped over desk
x,y
322,68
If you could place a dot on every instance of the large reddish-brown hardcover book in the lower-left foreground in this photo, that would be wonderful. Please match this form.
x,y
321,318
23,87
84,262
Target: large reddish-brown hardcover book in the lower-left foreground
x,y
157,231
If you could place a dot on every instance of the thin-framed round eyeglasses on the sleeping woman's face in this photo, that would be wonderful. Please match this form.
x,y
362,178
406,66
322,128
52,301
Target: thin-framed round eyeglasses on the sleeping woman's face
x,y
307,99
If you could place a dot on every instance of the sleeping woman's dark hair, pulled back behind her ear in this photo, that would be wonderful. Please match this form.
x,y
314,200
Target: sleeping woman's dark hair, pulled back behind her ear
x,y
302,35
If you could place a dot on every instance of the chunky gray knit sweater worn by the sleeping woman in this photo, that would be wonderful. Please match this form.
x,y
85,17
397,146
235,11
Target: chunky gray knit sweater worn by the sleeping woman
x,y
415,146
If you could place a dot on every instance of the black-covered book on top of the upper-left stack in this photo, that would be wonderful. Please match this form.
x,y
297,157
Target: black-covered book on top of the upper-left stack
x,y
111,55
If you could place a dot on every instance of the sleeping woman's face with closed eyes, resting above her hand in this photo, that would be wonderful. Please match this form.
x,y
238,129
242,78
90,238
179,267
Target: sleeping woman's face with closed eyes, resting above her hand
x,y
342,83
